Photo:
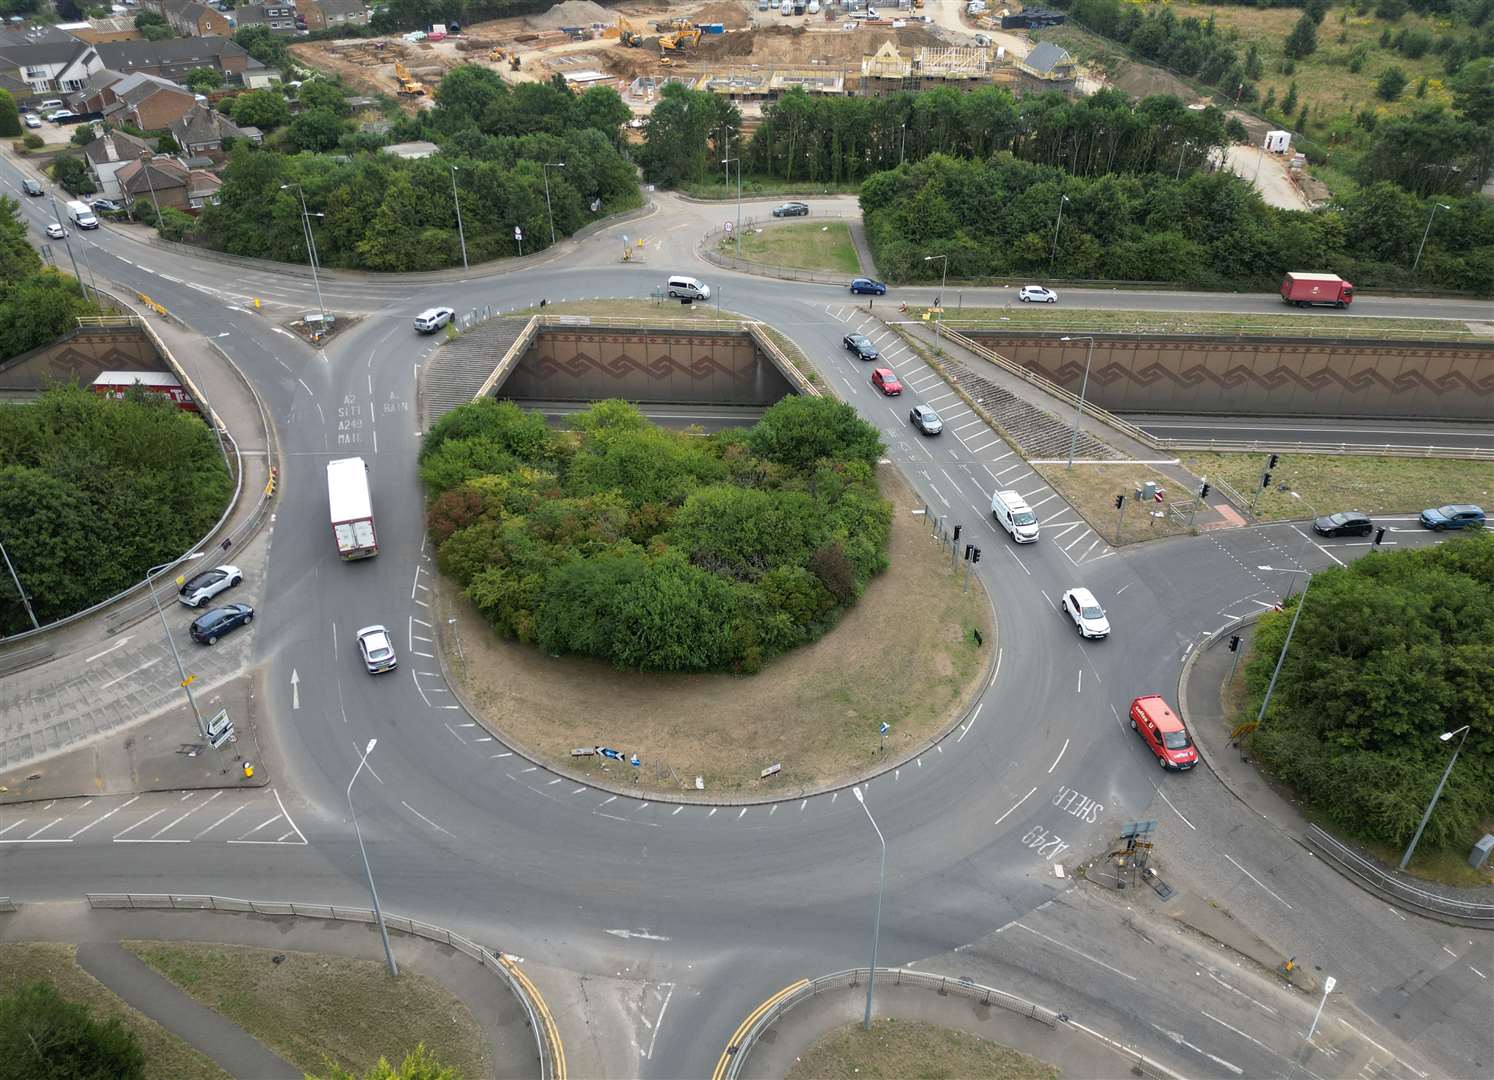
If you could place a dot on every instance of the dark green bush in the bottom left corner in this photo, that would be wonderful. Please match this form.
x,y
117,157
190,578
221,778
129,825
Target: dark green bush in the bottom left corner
x,y
46,1037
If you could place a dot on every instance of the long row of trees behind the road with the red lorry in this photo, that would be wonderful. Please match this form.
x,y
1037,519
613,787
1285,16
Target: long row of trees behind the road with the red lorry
x,y
1208,231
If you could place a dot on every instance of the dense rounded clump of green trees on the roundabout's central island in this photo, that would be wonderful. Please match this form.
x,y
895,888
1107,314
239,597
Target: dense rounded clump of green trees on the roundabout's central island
x,y
657,550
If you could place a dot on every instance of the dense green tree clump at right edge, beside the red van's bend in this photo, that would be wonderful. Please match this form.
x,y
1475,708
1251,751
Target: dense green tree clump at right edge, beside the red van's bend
x,y
1389,654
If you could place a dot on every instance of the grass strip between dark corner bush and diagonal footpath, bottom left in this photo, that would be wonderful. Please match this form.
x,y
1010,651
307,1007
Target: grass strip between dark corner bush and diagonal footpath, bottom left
x,y
167,1057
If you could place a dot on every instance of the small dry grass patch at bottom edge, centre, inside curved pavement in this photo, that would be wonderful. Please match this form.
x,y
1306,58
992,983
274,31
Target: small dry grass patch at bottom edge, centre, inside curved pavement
x,y
897,1049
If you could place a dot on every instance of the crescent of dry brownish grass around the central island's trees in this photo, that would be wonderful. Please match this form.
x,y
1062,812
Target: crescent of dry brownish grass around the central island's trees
x,y
905,655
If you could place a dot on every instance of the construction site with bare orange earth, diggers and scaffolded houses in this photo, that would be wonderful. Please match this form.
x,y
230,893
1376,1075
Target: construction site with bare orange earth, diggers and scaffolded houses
x,y
749,50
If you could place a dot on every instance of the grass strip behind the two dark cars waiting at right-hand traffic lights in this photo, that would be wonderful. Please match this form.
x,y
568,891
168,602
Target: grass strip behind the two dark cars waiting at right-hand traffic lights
x,y
1329,485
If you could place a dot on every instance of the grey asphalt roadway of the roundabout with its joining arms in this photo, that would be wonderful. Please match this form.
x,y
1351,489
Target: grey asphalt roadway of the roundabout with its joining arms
x,y
654,928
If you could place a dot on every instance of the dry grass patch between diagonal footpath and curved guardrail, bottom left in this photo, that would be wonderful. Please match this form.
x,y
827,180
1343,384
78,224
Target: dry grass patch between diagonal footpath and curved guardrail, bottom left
x,y
316,1008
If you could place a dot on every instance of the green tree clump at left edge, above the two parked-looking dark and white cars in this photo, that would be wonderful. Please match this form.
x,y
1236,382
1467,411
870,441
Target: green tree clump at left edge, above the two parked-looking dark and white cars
x,y
77,467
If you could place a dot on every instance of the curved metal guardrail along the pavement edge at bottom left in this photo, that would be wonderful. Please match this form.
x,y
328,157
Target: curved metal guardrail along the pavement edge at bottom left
x,y
539,1018
